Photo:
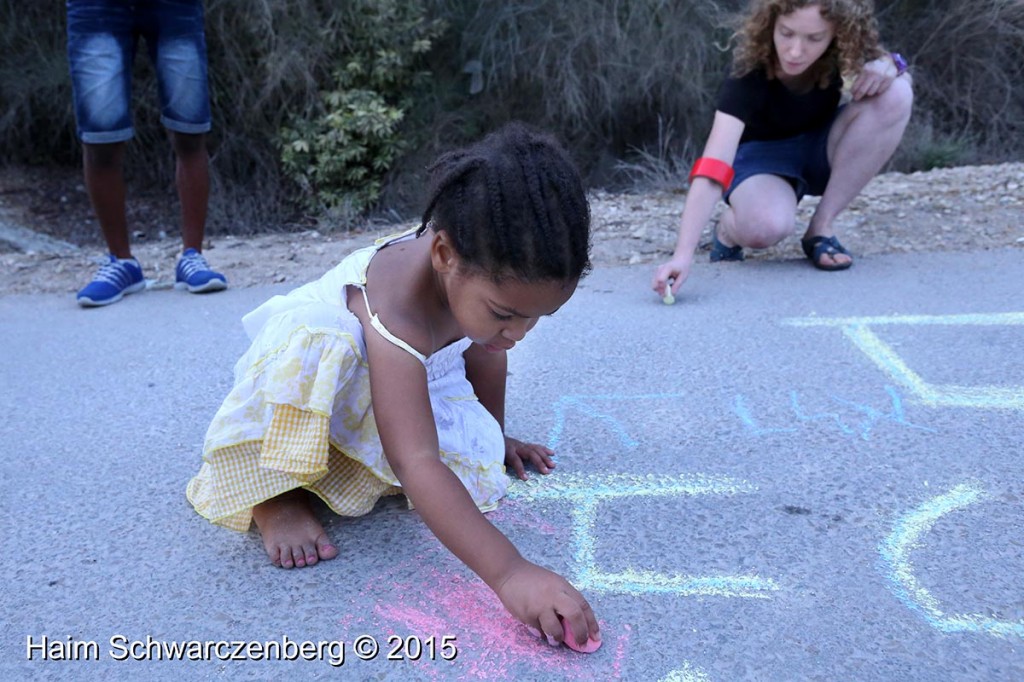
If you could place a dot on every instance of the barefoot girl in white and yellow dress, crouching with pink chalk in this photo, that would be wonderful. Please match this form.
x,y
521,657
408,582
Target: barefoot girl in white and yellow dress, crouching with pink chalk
x,y
388,375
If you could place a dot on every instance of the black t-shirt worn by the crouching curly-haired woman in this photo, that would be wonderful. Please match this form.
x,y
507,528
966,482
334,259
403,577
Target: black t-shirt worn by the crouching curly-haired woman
x,y
771,111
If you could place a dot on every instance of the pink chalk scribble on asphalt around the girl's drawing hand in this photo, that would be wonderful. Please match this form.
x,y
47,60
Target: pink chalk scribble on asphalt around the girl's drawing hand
x,y
492,645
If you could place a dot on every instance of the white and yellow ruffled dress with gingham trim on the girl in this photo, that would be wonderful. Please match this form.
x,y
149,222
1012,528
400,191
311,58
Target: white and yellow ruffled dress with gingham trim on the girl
x,y
301,415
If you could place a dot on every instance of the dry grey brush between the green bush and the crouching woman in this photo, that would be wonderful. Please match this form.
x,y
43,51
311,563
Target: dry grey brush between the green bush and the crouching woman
x,y
604,73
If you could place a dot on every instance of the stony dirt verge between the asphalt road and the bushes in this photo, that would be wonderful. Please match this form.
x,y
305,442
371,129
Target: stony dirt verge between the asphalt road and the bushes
x,y
958,209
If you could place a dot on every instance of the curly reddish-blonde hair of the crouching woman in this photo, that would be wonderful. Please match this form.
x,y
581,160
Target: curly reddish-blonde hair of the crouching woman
x,y
857,39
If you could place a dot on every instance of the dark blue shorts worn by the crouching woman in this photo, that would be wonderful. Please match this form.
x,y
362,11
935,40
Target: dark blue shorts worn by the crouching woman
x,y
803,160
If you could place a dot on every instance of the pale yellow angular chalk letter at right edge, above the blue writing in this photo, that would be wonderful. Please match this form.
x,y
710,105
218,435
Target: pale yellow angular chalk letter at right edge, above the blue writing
x,y
859,331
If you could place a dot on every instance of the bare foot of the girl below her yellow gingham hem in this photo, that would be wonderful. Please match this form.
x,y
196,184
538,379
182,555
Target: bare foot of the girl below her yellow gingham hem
x,y
291,533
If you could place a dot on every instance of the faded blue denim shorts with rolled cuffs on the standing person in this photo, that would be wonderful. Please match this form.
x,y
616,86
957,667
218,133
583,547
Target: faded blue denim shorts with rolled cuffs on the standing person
x,y
102,40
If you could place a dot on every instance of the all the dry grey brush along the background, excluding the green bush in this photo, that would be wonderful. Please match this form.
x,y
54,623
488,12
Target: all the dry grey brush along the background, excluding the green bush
x,y
624,82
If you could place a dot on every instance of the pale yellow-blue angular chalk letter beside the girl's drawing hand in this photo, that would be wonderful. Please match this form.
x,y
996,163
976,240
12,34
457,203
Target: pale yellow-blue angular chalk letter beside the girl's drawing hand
x,y
587,493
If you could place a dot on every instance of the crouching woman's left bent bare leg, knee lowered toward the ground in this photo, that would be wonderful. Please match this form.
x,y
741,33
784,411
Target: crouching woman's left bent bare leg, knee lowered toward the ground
x,y
761,214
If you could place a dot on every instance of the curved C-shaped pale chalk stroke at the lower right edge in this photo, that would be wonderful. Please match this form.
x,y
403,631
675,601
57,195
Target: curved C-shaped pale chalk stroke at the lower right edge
x,y
895,551
